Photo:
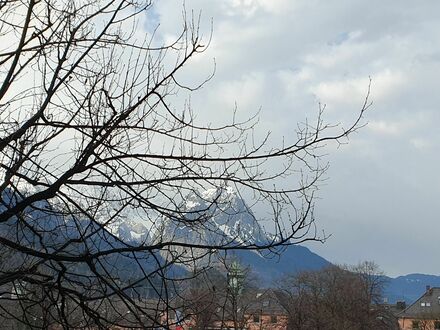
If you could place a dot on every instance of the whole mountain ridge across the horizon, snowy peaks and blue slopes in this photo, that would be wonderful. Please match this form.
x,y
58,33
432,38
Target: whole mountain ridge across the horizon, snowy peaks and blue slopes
x,y
232,224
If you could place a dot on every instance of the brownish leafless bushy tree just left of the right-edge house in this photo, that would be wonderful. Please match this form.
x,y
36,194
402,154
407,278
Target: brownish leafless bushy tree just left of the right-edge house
x,y
337,298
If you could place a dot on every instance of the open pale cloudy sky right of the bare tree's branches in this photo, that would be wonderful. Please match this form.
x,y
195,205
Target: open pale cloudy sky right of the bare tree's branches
x,y
381,201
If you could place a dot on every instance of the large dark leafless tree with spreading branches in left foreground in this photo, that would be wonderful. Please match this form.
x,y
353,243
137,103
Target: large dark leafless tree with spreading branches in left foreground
x,y
89,139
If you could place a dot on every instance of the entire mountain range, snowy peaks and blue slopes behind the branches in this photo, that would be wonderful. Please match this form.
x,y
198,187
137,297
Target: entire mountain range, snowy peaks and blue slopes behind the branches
x,y
225,218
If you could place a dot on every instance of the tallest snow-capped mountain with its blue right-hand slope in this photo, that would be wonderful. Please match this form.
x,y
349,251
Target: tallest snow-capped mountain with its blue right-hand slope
x,y
221,217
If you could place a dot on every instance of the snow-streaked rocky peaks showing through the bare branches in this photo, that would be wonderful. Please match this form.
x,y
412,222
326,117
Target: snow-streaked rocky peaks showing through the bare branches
x,y
211,217
